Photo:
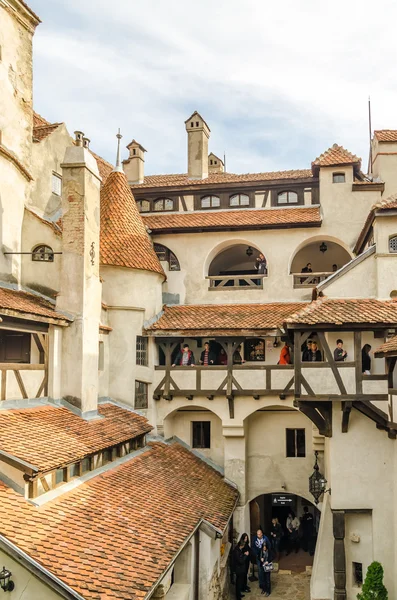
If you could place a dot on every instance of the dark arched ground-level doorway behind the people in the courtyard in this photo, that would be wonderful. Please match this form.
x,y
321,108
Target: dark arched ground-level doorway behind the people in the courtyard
x,y
297,552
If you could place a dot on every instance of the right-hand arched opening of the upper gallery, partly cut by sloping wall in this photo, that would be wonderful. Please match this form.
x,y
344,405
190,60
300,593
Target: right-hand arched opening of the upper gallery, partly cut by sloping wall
x,y
316,260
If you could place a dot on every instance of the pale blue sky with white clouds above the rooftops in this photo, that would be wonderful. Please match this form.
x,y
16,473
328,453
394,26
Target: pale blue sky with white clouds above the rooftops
x,y
278,82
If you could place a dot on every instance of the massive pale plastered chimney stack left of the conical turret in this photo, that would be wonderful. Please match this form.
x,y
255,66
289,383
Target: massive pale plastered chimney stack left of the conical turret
x,y
80,289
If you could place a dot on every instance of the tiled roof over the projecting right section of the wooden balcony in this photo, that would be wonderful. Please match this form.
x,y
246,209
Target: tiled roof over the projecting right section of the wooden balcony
x,y
346,311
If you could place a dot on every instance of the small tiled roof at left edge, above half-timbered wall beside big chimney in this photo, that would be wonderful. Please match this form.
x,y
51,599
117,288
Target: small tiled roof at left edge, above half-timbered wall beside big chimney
x,y
27,306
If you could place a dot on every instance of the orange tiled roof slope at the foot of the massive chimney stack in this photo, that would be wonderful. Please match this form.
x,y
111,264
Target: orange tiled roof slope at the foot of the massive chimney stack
x,y
49,437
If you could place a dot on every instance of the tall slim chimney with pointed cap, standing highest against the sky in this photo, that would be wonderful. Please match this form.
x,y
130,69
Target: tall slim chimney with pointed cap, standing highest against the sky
x,y
198,133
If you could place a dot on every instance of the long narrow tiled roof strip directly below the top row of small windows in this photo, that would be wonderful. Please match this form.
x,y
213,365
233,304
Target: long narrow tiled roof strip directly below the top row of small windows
x,y
235,219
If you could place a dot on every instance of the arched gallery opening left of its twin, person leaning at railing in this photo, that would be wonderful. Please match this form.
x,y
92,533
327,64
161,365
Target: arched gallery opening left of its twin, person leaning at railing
x,y
239,265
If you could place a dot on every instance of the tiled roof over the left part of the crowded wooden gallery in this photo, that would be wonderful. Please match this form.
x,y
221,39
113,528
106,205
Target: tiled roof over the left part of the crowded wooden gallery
x,y
219,318
